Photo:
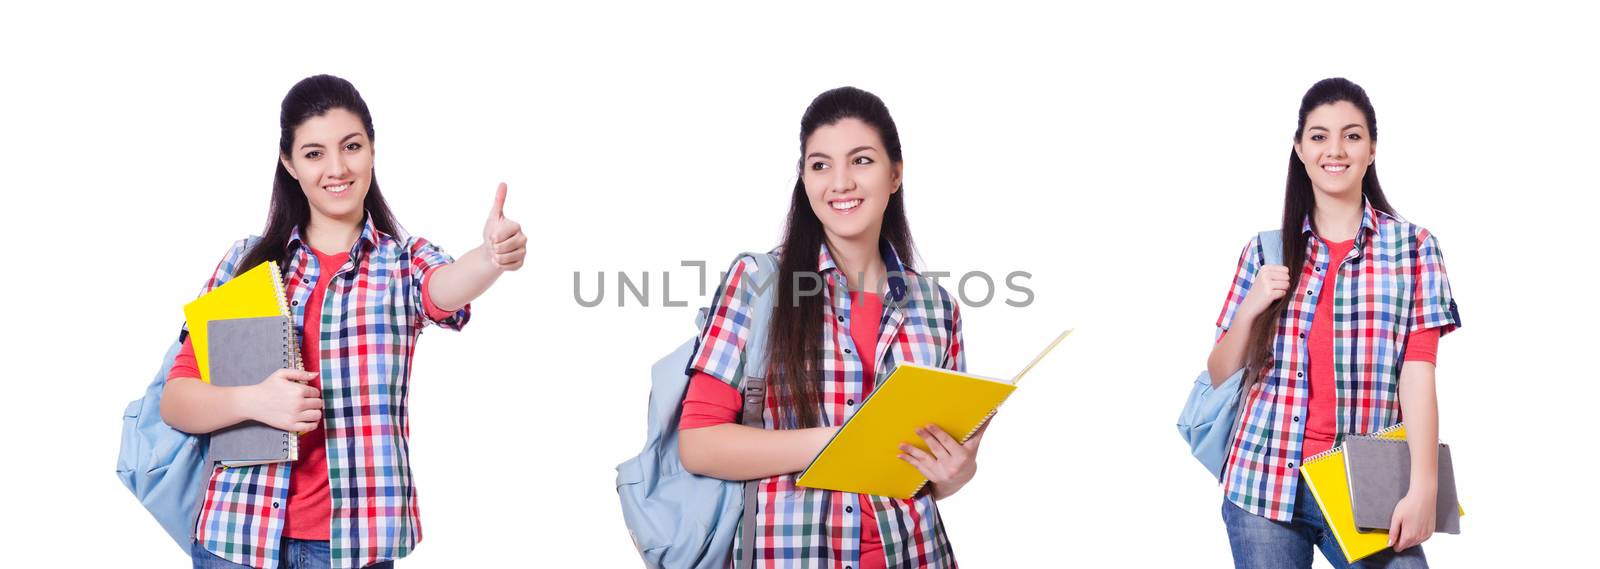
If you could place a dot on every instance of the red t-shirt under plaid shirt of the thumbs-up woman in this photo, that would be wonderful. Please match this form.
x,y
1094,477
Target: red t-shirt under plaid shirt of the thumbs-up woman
x,y
310,506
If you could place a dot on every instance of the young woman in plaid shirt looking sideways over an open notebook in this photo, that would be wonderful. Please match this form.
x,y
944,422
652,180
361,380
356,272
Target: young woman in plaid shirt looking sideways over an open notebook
x,y
849,311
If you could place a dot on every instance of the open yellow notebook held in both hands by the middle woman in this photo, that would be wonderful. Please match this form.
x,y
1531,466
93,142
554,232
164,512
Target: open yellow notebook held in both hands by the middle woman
x,y
863,456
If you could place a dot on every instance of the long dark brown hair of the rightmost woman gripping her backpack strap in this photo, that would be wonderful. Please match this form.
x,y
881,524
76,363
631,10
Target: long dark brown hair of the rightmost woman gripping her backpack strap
x,y
1298,202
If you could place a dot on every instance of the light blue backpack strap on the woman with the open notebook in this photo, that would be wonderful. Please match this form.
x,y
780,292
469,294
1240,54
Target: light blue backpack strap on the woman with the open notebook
x,y
754,386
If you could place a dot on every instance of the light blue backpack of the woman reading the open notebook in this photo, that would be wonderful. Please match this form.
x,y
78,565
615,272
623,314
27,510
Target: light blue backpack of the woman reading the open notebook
x,y
678,519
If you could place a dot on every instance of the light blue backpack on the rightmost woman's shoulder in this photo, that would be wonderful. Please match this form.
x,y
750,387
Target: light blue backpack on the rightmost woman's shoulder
x,y
1212,413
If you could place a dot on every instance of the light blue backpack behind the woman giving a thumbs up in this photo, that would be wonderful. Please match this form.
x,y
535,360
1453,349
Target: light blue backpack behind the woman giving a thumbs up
x,y
162,468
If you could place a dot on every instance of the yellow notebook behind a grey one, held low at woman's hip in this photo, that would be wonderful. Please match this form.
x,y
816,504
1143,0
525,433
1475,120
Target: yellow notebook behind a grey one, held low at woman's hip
x,y
1324,474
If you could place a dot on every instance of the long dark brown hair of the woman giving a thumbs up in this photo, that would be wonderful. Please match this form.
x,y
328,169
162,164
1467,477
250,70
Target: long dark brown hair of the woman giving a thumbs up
x,y
313,97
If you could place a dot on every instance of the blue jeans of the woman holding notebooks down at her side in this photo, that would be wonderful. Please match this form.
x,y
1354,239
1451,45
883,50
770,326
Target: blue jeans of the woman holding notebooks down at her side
x,y
1265,544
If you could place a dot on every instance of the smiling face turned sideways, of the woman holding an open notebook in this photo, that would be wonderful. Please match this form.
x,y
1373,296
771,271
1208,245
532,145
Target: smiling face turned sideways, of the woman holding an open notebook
x,y
849,180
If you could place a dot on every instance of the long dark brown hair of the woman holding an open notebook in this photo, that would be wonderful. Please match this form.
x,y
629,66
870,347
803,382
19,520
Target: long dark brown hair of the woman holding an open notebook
x,y
796,338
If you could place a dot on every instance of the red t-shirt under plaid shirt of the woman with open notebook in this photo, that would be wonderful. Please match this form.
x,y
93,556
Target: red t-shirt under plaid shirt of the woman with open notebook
x,y
713,402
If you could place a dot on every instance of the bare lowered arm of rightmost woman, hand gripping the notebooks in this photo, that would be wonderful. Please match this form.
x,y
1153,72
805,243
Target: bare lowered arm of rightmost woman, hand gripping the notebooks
x,y
1415,515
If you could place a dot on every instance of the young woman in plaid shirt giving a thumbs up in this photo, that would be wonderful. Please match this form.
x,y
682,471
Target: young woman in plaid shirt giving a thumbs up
x,y
361,292
